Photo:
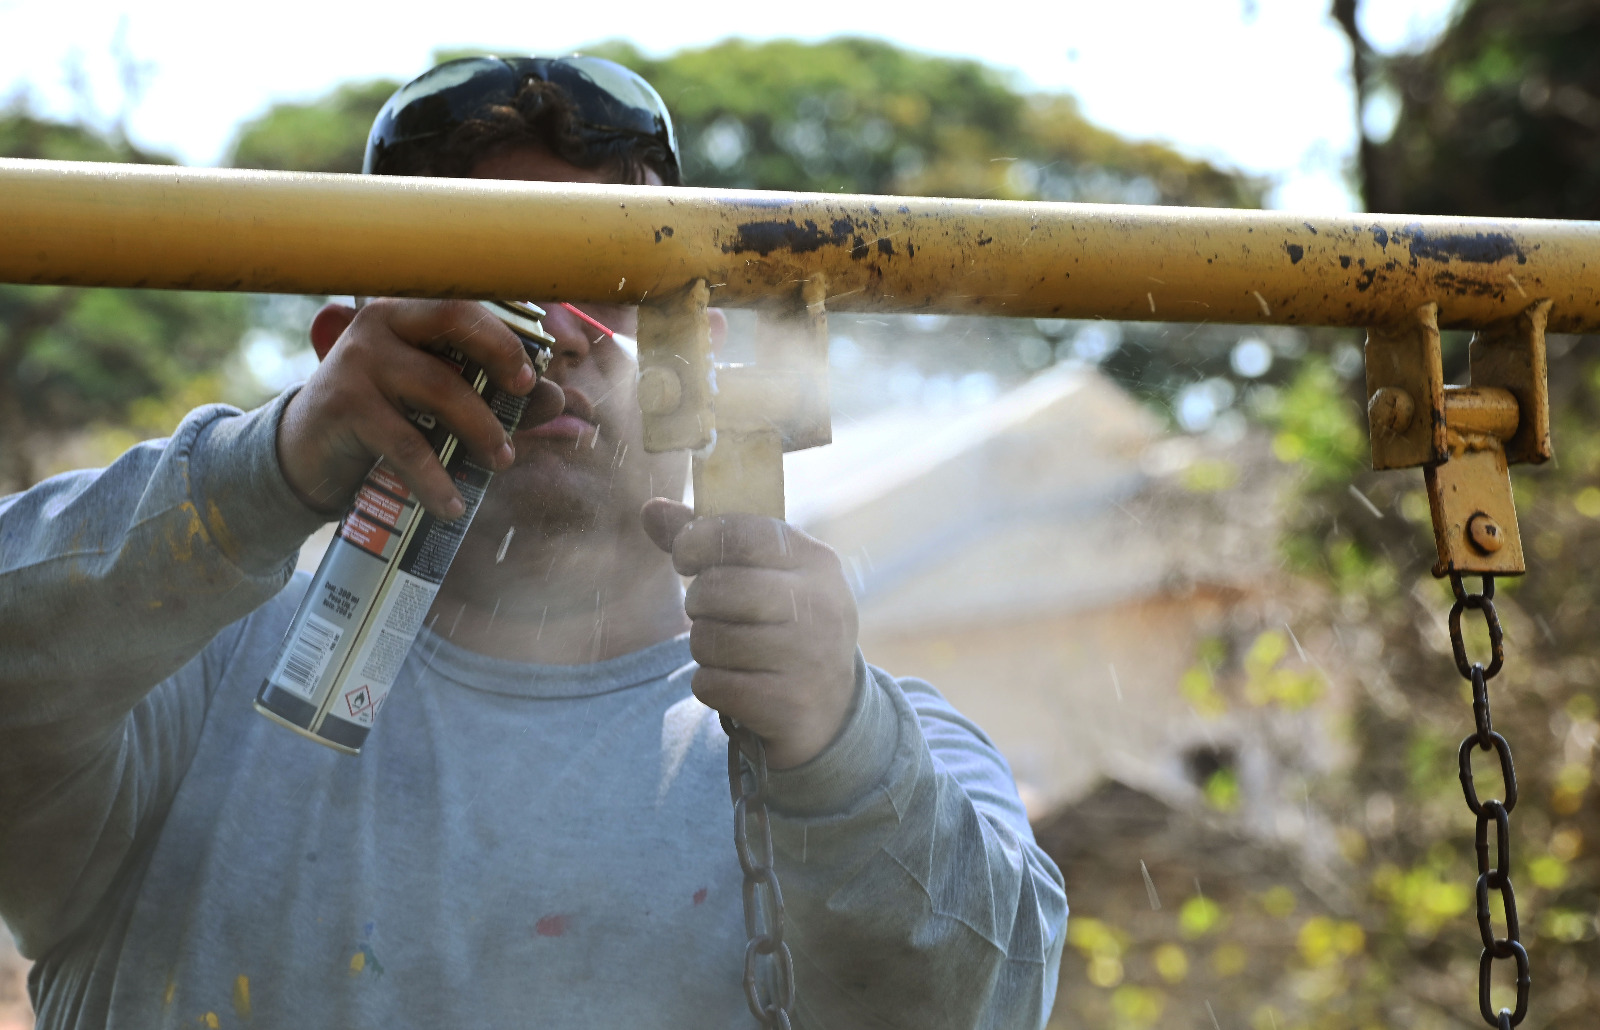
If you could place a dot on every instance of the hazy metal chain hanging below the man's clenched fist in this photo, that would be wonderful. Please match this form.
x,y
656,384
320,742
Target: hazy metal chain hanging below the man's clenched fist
x,y
772,997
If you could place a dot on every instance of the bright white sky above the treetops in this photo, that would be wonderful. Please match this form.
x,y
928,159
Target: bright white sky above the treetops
x,y
1260,86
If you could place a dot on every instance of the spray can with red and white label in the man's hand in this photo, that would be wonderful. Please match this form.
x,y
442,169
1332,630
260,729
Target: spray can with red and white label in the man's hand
x,y
367,602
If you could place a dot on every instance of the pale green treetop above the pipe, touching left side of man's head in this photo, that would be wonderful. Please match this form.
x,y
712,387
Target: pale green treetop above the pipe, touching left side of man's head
x,y
322,135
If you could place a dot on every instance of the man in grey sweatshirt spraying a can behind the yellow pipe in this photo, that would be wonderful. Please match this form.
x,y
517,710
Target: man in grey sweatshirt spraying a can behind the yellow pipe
x,y
537,832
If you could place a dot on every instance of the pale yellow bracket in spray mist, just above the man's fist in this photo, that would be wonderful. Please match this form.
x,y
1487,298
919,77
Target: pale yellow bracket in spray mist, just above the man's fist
x,y
737,418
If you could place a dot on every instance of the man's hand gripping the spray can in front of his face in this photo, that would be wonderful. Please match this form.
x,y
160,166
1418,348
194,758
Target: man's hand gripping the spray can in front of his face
x,y
354,409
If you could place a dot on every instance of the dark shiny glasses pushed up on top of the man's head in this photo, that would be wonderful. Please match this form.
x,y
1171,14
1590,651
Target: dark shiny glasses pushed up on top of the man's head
x,y
610,100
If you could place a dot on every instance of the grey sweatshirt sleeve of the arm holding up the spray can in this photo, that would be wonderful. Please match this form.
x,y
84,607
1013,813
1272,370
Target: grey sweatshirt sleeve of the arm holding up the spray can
x,y
111,583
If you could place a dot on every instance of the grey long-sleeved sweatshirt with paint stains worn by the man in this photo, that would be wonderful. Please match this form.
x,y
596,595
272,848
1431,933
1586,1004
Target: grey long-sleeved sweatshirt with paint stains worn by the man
x,y
516,847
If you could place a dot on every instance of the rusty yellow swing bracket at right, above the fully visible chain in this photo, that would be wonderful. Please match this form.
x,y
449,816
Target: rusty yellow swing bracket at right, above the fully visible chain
x,y
1465,437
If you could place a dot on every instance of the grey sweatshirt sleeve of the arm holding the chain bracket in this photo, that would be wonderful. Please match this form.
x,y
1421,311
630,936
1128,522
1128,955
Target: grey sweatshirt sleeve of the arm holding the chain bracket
x,y
916,895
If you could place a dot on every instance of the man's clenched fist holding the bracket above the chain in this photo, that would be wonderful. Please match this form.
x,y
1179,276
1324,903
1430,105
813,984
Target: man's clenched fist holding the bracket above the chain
x,y
774,625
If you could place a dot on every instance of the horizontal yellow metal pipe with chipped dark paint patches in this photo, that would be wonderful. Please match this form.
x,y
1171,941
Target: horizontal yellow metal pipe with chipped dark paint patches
x,y
287,233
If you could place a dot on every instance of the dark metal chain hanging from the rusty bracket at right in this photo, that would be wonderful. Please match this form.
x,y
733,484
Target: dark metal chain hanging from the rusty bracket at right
x,y
1490,813
